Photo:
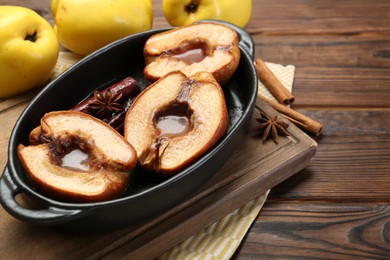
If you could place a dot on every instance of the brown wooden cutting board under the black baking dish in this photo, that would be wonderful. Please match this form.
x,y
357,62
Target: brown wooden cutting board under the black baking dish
x,y
252,169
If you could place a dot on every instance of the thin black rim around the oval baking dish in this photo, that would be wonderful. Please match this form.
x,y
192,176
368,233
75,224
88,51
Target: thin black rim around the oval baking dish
x,y
24,187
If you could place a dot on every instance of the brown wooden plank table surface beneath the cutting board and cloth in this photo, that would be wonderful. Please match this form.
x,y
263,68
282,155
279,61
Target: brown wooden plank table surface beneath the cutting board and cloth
x,y
339,206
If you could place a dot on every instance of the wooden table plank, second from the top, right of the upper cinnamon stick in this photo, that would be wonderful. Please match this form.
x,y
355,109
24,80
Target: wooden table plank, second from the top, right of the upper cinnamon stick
x,y
333,71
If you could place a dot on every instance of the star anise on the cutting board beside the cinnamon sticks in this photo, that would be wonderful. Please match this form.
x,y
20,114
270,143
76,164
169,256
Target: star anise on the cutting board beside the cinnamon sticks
x,y
271,127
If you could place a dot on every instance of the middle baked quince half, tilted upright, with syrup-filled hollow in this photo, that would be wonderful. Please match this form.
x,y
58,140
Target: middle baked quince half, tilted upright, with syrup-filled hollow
x,y
176,120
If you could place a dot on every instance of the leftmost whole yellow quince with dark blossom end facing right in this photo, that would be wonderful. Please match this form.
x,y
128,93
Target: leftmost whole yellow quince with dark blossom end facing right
x,y
28,50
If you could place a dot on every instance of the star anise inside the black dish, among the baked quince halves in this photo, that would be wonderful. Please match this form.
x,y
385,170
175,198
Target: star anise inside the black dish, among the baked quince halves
x,y
106,104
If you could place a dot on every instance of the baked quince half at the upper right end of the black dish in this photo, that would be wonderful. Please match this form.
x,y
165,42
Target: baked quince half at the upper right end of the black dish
x,y
207,46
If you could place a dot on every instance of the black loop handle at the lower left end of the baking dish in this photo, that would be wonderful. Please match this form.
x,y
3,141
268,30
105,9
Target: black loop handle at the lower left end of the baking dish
x,y
47,216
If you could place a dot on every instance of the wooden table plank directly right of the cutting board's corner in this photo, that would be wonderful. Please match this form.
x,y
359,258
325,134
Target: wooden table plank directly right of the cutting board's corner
x,y
352,161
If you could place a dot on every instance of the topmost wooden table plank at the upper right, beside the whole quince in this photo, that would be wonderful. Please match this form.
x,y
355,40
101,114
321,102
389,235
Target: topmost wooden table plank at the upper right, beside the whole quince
x,y
317,17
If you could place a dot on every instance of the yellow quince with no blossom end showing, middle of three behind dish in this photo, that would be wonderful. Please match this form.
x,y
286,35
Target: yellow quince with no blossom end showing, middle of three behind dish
x,y
84,26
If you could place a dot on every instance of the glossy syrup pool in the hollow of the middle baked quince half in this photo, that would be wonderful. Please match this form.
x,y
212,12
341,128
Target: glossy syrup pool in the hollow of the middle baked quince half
x,y
170,125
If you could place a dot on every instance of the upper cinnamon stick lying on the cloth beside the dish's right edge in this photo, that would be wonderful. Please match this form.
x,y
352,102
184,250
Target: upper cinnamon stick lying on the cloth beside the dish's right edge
x,y
272,83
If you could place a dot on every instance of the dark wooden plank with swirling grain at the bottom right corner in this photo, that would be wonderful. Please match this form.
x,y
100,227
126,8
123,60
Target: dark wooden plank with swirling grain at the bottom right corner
x,y
290,230
